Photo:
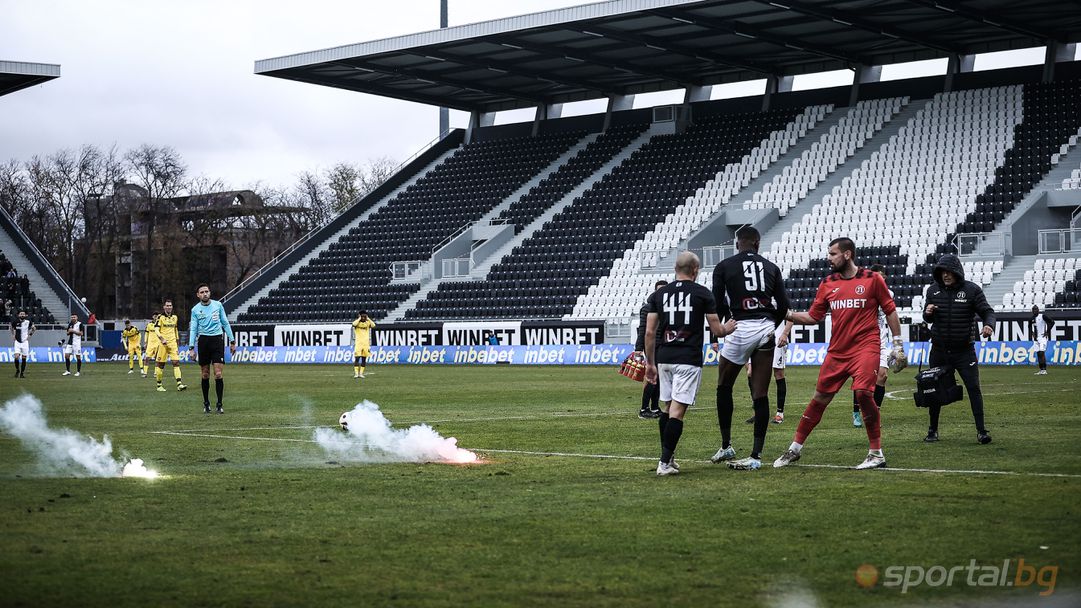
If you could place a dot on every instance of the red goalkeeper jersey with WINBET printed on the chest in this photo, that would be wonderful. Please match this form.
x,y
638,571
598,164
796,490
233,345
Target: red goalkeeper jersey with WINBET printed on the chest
x,y
855,305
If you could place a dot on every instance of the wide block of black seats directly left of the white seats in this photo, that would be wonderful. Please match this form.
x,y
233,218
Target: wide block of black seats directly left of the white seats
x,y
544,277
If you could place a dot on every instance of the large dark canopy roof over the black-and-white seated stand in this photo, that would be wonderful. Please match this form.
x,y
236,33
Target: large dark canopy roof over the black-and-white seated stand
x,y
628,47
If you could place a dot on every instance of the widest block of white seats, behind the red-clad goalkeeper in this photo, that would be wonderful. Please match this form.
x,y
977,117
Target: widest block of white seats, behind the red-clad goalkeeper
x,y
888,194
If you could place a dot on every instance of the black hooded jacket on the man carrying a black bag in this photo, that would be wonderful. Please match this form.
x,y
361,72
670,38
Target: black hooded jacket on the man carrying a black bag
x,y
953,322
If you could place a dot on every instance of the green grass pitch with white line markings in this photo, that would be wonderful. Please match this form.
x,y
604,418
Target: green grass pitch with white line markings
x,y
565,510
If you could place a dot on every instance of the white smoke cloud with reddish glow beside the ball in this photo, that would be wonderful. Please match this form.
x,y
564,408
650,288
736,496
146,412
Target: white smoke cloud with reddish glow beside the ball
x,y
371,439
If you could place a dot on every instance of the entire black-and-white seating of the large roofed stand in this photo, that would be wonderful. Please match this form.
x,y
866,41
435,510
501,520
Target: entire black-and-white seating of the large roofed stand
x,y
592,260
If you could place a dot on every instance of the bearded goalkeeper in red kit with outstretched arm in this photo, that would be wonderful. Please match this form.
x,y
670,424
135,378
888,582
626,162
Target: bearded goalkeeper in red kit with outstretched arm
x,y
853,296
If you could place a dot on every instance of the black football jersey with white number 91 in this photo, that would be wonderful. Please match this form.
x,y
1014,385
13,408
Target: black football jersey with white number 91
x,y
748,286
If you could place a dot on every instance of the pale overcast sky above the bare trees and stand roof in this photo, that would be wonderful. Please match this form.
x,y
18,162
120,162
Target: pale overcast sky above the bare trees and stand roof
x,y
181,73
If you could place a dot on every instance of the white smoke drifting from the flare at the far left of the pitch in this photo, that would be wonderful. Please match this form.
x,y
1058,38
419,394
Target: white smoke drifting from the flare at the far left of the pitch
x,y
63,452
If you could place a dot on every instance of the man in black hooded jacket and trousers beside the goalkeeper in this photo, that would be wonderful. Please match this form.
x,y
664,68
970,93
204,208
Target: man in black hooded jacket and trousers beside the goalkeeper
x,y
952,305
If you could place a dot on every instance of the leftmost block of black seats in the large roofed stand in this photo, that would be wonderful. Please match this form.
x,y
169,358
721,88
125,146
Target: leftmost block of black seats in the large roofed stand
x,y
355,272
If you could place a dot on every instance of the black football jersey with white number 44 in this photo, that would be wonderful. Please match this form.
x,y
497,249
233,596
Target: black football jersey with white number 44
x,y
682,308
